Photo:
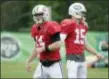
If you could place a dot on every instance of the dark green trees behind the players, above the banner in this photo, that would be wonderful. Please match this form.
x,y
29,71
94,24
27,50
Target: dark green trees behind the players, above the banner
x,y
17,15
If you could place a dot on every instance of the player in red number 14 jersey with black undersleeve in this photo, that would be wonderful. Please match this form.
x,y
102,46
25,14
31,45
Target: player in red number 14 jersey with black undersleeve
x,y
47,43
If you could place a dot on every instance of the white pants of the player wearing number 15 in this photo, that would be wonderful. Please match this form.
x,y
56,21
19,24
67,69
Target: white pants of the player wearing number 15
x,y
76,69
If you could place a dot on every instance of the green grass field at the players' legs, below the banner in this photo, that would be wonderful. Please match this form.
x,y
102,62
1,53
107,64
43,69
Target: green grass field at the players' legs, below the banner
x,y
17,70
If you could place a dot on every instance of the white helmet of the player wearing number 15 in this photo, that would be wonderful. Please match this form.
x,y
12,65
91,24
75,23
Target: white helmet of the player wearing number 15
x,y
77,10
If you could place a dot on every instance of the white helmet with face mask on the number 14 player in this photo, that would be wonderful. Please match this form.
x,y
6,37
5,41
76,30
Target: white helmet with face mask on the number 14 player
x,y
40,14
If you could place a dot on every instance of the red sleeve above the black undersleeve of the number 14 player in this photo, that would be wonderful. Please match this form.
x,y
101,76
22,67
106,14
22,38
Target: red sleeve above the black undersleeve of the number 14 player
x,y
54,27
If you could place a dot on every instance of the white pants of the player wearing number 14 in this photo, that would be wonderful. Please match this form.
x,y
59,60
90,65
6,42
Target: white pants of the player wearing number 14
x,y
53,71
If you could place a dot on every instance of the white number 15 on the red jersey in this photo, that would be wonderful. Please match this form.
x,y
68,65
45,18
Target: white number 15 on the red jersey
x,y
79,36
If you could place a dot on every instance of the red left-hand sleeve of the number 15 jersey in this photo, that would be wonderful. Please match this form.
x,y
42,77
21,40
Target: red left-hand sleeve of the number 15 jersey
x,y
65,27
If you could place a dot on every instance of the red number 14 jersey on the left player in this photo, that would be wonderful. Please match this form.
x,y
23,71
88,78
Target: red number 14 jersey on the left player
x,y
43,34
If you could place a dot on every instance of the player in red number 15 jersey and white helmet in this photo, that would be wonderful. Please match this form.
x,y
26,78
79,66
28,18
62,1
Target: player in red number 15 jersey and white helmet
x,y
74,31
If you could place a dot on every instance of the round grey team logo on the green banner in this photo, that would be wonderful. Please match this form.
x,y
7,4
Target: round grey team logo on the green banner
x,y
9,47
